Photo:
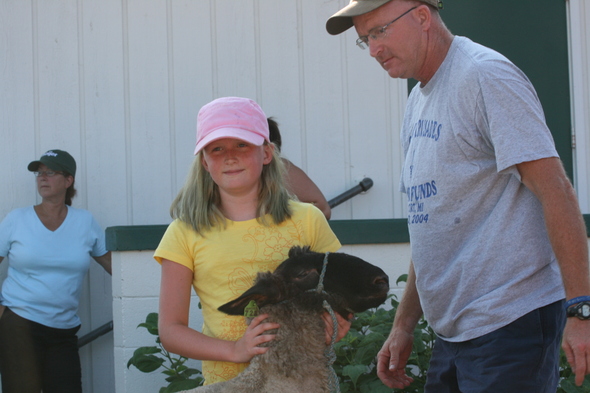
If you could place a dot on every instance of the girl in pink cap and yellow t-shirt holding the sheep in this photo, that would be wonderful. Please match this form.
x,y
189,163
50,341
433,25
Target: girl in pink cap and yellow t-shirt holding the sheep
x,y
232,219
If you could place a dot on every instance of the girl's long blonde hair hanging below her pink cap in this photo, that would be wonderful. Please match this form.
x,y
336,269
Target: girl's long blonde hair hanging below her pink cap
x,y
197,203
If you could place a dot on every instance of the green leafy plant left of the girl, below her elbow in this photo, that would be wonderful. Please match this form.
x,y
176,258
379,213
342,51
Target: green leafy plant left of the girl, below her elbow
x,y
151,358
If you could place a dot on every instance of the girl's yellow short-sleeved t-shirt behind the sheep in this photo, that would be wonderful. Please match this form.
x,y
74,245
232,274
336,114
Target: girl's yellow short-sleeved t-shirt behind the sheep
x,y
225,262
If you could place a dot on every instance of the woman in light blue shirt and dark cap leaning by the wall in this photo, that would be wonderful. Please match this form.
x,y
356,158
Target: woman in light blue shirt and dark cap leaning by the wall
x,y
48,249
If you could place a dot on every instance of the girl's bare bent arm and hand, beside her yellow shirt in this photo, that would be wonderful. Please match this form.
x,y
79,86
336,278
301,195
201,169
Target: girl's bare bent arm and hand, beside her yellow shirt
x,y
178,338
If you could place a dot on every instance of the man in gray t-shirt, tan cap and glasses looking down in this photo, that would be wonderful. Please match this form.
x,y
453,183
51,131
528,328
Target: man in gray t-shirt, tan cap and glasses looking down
x,y
498,240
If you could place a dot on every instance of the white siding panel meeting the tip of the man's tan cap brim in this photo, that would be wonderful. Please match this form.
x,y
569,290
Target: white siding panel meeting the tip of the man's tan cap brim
x,y
326,137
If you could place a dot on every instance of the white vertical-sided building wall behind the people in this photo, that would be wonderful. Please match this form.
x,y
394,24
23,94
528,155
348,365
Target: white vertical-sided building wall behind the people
x,y
118,83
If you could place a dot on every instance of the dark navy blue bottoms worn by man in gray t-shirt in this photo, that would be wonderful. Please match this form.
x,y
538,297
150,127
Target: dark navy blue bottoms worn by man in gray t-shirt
x,y
522,357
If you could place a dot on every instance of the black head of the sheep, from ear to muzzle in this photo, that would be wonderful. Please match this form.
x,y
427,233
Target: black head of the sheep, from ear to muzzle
x,y
357,284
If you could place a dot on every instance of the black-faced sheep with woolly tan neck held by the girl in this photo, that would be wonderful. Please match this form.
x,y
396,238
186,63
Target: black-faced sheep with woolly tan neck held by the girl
x,y
296,361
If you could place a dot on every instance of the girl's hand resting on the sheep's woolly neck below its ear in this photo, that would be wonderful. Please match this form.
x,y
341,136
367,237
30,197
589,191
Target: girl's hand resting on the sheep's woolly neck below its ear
x,y
248,346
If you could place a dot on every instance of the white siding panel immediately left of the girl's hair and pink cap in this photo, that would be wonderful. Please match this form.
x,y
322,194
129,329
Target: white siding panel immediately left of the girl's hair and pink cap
x,y
149,111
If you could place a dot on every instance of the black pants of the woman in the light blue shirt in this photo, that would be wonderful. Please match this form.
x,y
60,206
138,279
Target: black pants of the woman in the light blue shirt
x,y
35,357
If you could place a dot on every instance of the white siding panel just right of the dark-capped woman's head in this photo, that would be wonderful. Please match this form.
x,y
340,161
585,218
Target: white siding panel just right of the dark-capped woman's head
x,y
104,110
